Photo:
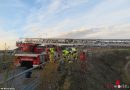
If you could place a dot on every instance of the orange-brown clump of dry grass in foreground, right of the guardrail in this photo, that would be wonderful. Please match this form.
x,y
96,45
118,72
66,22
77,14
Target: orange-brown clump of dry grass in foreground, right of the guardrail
x,y
49,77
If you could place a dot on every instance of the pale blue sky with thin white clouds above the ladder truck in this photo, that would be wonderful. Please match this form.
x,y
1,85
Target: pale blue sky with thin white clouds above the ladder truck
x,y
96,19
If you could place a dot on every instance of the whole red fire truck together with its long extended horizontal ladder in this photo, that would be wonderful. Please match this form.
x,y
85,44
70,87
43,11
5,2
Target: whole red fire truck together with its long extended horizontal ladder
x,y
32,52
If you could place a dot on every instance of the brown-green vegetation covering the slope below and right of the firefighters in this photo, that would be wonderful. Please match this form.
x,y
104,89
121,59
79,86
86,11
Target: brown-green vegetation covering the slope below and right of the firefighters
x,y
103,67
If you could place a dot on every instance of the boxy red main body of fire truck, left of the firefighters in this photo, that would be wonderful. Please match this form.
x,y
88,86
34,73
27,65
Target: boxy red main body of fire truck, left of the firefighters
x,y
30,54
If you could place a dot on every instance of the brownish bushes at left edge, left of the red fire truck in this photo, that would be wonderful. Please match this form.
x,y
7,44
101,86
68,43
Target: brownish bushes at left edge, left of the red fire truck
x,y
6,64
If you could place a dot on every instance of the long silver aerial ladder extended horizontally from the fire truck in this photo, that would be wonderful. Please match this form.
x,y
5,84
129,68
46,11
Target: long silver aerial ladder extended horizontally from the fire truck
x,y
80,42
